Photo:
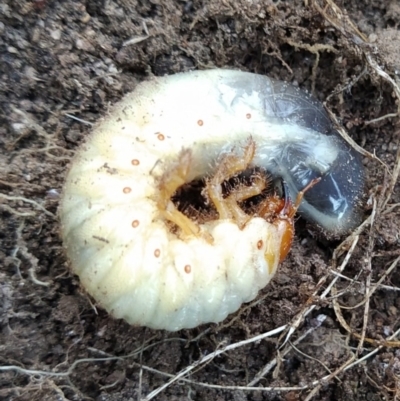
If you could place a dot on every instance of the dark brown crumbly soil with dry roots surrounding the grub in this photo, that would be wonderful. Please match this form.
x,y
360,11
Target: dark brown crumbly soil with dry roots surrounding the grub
x,y
62,64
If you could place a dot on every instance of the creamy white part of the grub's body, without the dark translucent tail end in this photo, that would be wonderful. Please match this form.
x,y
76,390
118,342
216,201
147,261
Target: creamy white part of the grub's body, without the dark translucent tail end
x,y
124,252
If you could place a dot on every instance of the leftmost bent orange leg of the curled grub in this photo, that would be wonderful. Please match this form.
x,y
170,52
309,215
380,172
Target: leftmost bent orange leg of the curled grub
x,y
173,179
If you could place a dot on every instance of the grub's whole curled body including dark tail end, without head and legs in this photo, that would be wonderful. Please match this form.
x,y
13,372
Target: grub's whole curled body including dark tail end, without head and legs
x,y
117,234
